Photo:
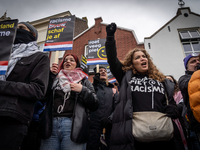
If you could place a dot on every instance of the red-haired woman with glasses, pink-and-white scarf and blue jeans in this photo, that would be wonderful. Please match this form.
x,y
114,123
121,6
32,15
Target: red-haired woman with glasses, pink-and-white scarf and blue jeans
x,y
66,115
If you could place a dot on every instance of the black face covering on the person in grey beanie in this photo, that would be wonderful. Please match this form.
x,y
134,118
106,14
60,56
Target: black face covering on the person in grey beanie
x,y
24,36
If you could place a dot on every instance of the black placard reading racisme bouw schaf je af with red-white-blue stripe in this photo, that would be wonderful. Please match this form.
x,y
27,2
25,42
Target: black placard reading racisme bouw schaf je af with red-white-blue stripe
x,y
60,34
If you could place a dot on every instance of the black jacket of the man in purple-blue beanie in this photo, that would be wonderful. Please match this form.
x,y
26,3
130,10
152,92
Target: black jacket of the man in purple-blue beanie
x,y
183,85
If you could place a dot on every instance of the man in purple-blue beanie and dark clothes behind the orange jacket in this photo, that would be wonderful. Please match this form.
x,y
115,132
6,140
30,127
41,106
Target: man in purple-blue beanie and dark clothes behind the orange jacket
x,y
190,62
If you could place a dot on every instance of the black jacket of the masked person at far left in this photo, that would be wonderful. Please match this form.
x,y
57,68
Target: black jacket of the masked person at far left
x,y
25,85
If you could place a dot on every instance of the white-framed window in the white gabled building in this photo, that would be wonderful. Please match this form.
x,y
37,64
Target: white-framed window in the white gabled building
x,y
190,40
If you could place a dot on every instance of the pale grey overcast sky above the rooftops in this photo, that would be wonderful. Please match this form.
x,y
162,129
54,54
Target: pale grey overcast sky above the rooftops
x,y
143,16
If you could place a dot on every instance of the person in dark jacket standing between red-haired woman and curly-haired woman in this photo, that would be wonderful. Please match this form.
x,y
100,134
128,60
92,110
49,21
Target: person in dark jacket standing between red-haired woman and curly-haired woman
x,y
101,118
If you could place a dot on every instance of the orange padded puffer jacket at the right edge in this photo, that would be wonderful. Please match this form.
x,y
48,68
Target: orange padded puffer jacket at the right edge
x,y
194,94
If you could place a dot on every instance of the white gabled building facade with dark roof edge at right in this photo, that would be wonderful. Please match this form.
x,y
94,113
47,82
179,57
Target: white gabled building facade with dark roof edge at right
x,y
178,38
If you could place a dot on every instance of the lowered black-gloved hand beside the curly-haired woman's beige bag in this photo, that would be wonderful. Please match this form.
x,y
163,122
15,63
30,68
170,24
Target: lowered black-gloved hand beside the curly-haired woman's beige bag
x,y
171,111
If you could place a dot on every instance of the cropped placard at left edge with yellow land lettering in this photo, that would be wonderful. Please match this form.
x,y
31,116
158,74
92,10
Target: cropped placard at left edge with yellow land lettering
x,y
7,34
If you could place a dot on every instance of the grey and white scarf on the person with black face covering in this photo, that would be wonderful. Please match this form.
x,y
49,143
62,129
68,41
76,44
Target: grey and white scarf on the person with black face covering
x,y
19,51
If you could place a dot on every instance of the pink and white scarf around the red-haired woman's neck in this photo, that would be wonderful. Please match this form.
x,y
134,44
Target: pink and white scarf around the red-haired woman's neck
x,y
70,76
